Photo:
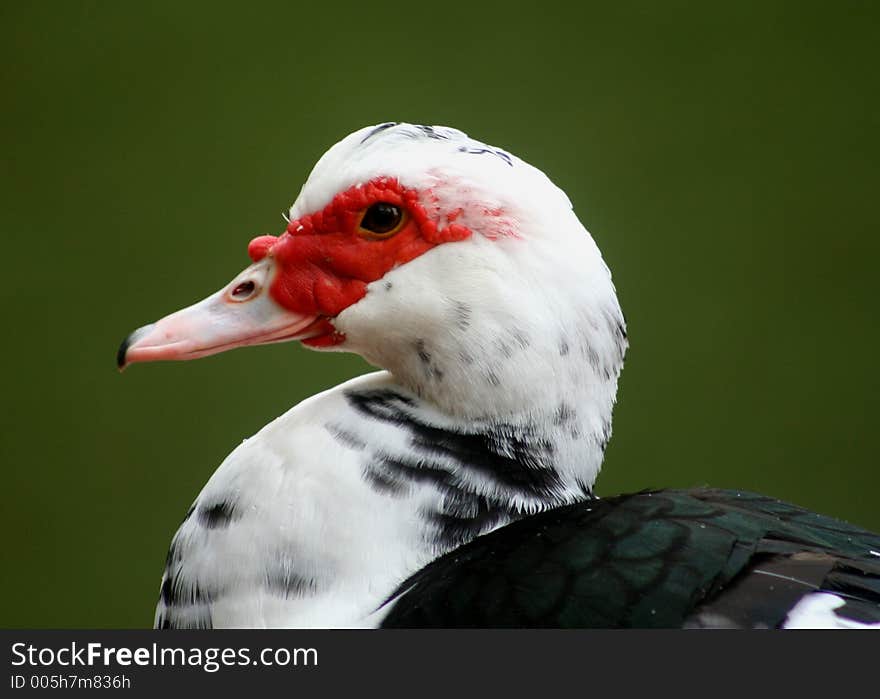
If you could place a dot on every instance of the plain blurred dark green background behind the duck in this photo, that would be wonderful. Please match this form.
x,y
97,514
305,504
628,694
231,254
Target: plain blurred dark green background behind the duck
x,y
724,155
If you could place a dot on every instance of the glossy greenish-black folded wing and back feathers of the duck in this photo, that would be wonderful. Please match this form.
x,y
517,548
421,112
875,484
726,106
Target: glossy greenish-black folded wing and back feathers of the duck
x,y
664,559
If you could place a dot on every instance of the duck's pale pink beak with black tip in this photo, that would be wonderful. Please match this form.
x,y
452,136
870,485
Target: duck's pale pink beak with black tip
x,y
242,313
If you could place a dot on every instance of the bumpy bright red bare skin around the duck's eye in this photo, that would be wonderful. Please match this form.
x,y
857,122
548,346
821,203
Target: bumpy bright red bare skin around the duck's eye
x,y
325,260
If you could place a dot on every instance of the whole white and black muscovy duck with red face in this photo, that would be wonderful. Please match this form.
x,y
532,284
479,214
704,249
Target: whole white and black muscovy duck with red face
x,y
455,487
